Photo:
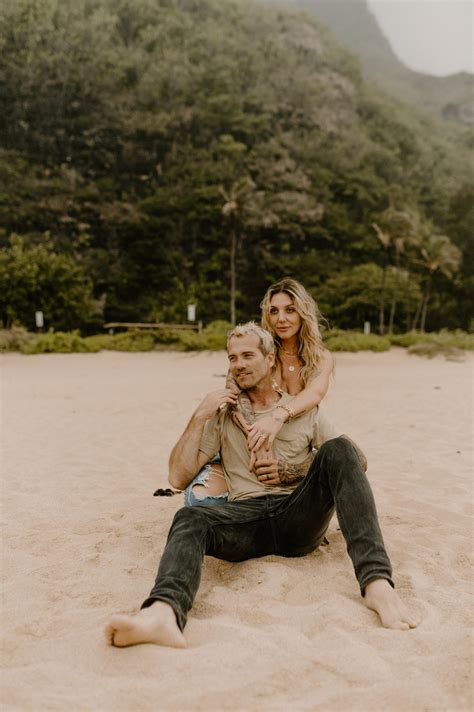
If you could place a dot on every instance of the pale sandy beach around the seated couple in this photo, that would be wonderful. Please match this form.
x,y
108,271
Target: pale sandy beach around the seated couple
x,y
85,441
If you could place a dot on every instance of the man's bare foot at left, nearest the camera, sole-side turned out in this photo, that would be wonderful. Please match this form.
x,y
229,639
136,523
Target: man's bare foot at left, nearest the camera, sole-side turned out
x,y
155,624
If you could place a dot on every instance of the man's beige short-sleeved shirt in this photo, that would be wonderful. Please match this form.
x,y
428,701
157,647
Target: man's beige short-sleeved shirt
x,y
293,443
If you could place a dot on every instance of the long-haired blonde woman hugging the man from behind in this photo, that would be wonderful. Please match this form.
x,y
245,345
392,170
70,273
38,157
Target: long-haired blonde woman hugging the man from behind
x,y
303,369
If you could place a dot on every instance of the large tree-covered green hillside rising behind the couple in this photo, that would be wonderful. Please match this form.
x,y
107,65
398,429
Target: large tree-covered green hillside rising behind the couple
x,y
161,152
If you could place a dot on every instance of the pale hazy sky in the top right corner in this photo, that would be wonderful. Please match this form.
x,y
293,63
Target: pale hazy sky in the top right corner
x,y
432,36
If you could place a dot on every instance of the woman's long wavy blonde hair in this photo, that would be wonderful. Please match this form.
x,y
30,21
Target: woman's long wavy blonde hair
x,y
310,344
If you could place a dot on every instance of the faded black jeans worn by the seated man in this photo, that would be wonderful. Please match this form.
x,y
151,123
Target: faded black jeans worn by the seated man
x,y
287,525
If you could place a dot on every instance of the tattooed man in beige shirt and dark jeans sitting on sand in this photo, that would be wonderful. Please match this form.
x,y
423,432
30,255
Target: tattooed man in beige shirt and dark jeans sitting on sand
x,y
274,508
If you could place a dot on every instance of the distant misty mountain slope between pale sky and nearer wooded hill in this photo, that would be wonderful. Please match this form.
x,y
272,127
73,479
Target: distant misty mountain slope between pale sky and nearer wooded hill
x,y
353,24
